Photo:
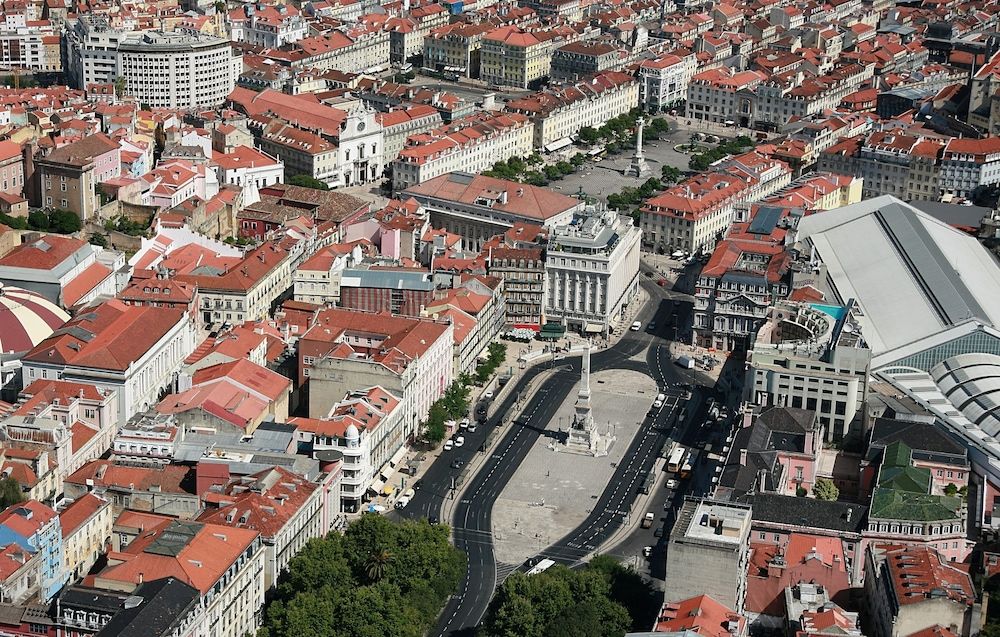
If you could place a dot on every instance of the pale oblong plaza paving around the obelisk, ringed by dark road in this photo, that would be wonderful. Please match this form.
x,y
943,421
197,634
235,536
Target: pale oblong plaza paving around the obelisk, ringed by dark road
x,y
553,490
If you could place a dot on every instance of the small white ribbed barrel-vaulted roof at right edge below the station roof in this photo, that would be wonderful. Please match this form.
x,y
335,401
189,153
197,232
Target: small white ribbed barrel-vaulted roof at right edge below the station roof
x,y
971,382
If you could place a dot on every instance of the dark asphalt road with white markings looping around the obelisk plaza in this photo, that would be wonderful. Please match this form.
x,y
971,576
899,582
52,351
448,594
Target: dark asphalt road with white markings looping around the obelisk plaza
x,y
472,514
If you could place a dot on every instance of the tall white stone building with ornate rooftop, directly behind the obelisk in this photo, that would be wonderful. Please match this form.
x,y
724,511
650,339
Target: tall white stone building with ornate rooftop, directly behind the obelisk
x,y
592,270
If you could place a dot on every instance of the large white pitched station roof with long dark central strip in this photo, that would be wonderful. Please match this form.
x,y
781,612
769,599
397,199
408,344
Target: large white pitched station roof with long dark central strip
x,y
912,275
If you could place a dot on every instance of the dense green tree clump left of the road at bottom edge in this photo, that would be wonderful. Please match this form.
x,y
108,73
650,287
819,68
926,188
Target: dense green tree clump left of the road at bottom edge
x,y
378,578
